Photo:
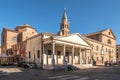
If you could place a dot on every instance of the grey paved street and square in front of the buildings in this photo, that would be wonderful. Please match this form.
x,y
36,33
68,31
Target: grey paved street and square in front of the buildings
x,y
104,73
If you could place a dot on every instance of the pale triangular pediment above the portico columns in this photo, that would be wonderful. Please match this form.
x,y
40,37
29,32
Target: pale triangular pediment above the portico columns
x,y
73,38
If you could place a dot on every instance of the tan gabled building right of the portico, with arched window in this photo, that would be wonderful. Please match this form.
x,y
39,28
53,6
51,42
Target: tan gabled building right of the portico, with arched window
x,y
103,45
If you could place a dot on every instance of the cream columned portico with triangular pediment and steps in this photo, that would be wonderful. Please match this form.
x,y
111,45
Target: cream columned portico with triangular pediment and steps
x,y
72,49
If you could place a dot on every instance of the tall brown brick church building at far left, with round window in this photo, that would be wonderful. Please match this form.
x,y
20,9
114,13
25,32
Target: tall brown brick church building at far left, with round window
x,y
15,38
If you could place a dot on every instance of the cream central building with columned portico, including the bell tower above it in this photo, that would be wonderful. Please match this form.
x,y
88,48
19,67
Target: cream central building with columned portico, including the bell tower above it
x,y
50,50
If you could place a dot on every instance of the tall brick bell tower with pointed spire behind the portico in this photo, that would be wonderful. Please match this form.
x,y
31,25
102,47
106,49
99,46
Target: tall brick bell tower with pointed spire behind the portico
x,y
64,25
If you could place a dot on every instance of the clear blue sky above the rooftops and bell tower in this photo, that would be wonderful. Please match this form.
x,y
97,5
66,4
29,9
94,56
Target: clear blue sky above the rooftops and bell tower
x,y
85,16
